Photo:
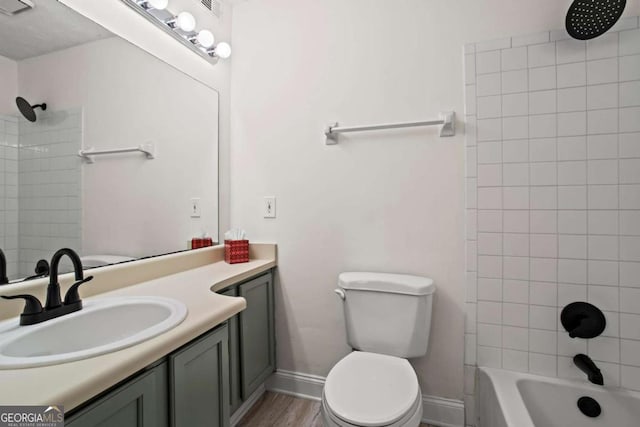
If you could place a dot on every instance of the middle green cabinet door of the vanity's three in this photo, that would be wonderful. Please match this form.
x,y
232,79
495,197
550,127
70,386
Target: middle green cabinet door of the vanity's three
x,y
199,375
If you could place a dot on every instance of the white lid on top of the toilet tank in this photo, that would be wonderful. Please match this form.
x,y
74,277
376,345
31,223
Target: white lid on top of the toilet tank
x,y
387,282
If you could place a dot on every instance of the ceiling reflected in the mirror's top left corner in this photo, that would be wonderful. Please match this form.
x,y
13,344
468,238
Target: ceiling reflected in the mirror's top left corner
x,y
48,27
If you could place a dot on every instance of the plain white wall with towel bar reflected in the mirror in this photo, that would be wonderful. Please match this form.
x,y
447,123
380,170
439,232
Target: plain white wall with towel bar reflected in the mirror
x,y
133,206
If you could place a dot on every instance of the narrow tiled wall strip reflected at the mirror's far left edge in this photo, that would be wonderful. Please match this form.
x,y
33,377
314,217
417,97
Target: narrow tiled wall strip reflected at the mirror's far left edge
x,y
9,192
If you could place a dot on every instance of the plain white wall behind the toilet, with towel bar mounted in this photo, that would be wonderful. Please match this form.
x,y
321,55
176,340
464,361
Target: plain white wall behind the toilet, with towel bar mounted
x,y
389,201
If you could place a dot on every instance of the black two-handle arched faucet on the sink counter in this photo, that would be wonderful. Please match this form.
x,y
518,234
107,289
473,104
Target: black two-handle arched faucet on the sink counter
x,y
54,307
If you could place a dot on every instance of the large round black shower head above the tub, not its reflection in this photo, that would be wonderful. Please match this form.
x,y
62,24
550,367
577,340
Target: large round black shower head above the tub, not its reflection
x,y
588,19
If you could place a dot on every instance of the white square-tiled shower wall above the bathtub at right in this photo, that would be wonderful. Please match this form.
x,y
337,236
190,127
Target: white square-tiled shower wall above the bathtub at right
x,y
553,202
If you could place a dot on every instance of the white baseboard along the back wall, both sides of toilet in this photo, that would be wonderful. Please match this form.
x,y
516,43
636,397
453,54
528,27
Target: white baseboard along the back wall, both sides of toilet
x,y
437,411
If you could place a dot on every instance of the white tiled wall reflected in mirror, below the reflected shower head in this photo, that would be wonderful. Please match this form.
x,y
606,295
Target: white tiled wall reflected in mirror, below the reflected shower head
x,y
49,186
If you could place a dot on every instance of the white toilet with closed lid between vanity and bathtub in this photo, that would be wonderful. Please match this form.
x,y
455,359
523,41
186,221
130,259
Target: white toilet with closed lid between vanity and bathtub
x,y
388,319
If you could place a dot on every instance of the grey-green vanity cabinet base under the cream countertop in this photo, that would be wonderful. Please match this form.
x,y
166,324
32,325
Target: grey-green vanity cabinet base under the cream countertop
x,y
203,382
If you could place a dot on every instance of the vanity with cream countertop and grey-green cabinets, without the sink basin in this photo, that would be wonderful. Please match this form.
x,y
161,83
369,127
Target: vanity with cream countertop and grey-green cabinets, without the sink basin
x,y
197,373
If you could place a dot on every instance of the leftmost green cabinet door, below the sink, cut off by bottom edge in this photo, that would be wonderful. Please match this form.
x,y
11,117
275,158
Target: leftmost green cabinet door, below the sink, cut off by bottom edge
x,y
141,402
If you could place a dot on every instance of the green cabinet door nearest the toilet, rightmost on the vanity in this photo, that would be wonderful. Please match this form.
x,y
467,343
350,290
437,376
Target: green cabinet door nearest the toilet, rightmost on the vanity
x,y
257,337
